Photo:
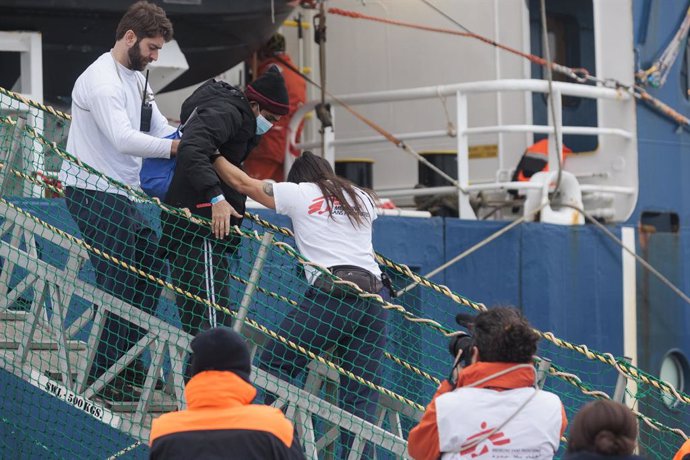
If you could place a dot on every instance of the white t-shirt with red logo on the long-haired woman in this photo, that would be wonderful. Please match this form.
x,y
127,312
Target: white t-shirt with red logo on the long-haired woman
x,y
323,239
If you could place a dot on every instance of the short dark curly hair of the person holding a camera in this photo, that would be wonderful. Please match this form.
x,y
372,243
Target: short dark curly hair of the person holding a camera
x,y
503,335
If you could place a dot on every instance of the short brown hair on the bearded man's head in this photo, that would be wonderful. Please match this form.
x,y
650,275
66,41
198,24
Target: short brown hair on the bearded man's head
x,y
146,20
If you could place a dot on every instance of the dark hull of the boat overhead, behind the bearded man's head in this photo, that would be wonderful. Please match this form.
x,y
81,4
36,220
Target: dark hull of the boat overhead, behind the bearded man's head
x,y
213,35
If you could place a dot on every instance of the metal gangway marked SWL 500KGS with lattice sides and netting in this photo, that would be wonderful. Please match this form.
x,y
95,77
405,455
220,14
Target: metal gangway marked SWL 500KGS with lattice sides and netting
x,y
38,345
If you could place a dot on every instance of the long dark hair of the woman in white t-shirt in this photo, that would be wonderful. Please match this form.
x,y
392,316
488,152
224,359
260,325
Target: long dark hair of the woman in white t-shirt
x,y
310,168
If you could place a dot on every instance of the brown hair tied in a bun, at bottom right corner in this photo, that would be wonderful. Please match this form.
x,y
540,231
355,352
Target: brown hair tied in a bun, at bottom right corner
x,y
604,427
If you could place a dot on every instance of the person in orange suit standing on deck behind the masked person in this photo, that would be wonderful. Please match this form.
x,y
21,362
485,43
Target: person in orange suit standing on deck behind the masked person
x,y
268,158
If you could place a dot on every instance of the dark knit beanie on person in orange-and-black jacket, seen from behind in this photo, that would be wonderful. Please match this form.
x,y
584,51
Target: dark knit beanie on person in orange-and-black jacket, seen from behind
x,y
220,349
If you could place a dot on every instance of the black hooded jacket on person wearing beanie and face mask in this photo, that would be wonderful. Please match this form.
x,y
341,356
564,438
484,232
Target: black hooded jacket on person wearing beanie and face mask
x,y
223,125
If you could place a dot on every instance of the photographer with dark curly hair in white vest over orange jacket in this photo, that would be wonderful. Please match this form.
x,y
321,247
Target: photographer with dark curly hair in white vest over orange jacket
x,y
495,408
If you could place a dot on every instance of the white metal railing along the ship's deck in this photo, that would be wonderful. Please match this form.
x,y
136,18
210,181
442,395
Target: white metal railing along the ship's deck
x,y
461,91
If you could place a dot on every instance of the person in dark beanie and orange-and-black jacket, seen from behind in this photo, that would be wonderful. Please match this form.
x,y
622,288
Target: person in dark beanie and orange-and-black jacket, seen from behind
x,y
220,421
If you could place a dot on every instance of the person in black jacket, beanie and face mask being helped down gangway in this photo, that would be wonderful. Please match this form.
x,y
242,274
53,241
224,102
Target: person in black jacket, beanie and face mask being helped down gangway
x,y
220,120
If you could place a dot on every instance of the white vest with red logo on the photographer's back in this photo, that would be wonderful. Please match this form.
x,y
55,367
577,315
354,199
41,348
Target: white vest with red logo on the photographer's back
x,y
469,413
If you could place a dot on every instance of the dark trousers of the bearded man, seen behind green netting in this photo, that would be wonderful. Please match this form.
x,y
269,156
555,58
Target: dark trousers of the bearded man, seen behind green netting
x,y
112,223
